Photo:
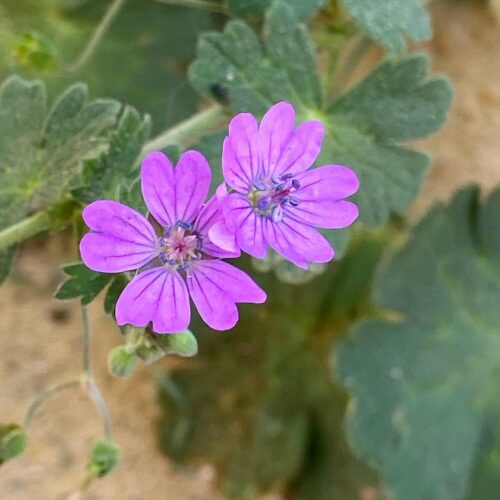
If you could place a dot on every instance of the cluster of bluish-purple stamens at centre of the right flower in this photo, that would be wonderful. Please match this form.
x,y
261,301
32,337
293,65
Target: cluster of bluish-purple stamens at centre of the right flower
x,y
269,196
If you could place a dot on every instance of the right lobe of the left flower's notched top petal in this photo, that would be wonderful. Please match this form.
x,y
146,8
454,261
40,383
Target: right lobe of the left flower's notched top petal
x,y
192,182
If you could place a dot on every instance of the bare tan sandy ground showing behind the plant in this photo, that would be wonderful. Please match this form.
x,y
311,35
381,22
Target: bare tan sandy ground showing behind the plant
x,y
40,337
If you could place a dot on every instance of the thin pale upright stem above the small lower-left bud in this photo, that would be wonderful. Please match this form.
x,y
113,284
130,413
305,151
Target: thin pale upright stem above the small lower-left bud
x,y
92,389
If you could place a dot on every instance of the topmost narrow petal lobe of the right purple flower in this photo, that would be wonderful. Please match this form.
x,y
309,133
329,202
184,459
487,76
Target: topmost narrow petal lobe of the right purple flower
x,y
274,130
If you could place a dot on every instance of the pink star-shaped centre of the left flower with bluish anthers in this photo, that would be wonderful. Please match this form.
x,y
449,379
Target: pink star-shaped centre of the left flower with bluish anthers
x,y
180,245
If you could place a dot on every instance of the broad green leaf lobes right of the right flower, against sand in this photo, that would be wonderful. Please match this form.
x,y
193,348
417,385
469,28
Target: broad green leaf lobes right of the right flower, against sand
x,y
395,103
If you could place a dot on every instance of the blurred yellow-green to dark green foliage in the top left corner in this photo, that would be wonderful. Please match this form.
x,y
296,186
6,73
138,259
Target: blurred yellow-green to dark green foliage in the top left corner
x,y
142,60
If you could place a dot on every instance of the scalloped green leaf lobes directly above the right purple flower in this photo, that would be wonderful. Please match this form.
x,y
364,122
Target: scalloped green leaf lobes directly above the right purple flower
x,y
253,77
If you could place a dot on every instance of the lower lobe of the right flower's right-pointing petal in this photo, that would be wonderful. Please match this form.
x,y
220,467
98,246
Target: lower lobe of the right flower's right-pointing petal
x,y
324,214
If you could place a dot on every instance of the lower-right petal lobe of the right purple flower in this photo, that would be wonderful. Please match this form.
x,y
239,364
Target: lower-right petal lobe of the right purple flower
x,y
298,243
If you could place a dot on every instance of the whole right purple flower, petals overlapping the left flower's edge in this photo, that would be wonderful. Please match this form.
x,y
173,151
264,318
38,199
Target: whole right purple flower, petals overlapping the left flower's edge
x,y
275,201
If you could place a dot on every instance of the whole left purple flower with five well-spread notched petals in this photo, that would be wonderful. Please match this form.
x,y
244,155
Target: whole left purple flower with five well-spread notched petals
x,y
180,262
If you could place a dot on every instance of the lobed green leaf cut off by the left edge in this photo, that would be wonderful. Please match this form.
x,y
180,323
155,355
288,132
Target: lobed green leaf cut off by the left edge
x,y
41,155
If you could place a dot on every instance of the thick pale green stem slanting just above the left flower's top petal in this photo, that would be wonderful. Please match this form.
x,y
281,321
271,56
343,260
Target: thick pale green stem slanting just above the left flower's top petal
x,y
183,133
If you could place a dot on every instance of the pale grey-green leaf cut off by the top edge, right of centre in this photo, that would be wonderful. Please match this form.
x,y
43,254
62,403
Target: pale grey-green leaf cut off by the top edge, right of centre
x,y
388,22
